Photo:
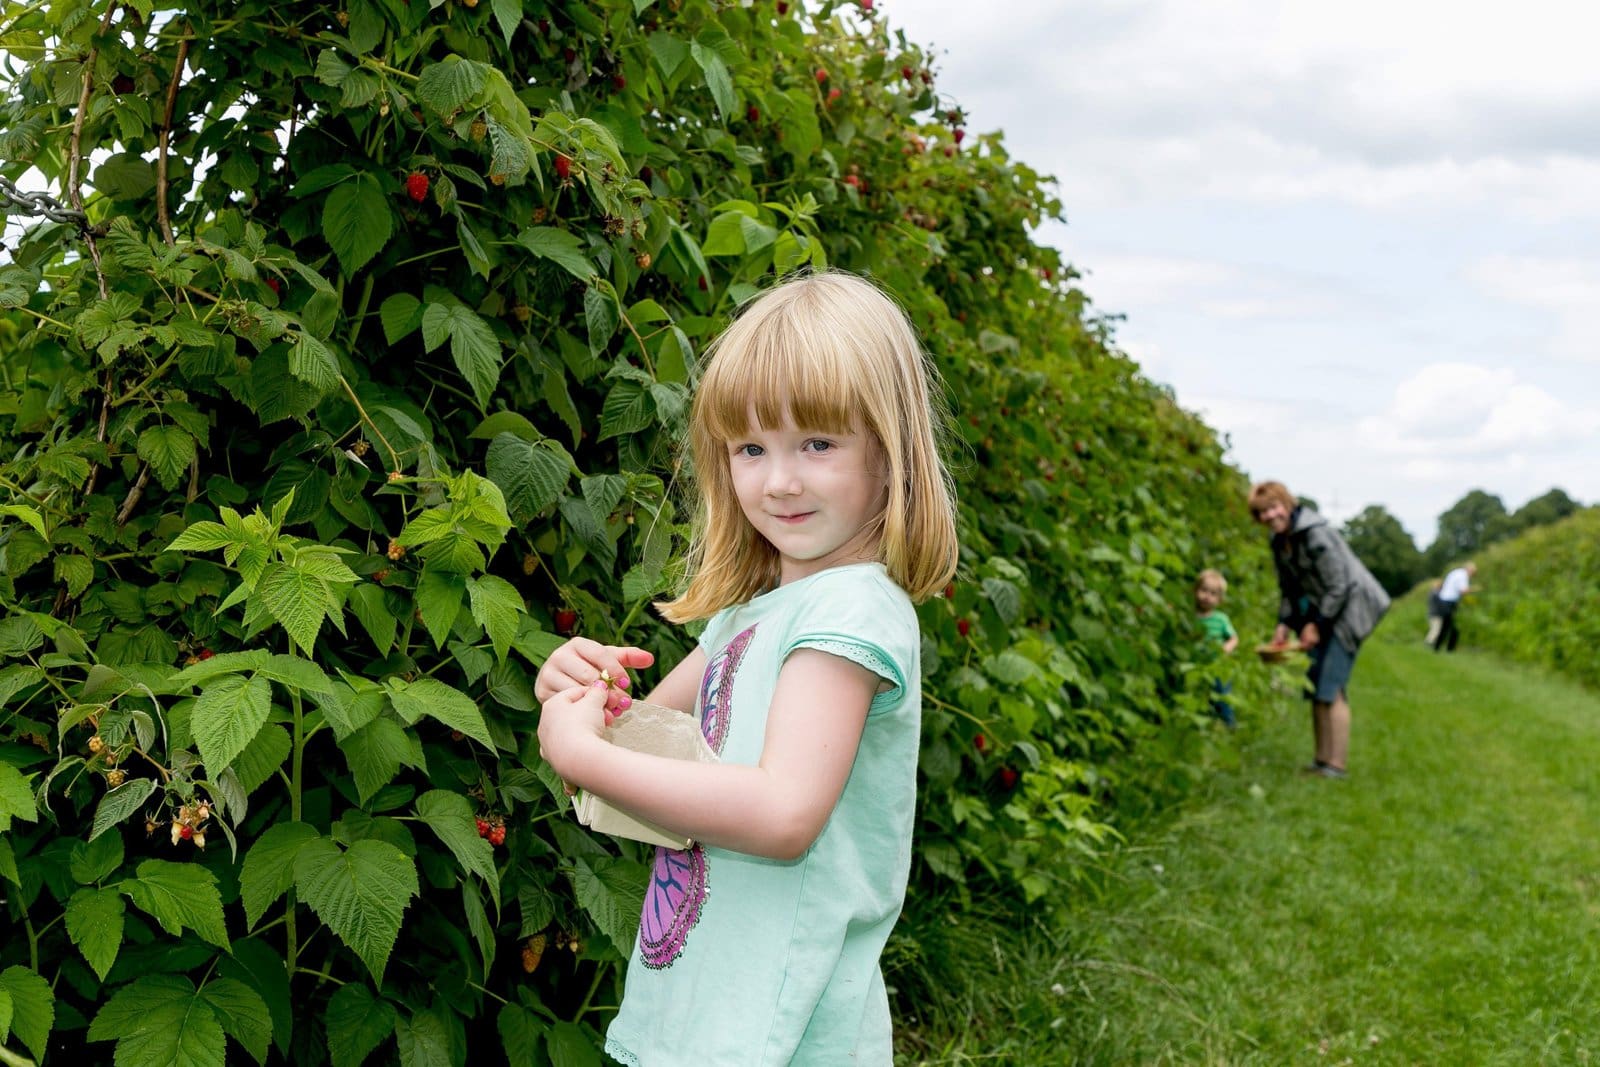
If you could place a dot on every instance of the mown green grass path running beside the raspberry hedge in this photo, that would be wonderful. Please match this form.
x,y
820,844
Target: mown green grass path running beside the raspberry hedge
x,y
1442,906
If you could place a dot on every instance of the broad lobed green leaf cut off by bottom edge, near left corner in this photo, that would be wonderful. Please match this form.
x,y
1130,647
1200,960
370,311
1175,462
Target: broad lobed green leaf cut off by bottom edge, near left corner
x,y
159,1021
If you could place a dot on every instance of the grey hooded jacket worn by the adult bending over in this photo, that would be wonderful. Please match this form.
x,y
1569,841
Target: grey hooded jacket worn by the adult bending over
x,y
1322,580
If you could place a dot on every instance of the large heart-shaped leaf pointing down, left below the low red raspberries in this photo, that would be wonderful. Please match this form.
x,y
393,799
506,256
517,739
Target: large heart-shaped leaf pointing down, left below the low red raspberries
x,y
361,895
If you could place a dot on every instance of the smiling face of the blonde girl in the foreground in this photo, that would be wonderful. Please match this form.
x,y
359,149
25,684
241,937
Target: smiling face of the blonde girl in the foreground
x,y
812,495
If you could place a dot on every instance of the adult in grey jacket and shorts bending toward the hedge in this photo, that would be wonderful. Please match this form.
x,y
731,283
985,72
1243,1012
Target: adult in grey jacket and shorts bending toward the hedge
x,y
1332,601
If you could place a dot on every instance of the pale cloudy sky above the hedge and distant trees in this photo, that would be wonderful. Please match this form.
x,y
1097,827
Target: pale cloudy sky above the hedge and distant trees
x,y
1362,241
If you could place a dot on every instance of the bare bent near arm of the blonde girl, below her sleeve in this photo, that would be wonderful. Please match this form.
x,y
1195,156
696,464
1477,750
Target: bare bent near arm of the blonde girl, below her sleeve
x,y
775,809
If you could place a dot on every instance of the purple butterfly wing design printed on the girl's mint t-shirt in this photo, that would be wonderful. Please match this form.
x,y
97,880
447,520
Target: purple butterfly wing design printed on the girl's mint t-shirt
x,y
678,884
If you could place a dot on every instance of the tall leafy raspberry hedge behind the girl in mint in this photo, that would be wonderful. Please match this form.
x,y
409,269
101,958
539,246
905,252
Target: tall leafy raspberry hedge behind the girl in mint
x,y
359,388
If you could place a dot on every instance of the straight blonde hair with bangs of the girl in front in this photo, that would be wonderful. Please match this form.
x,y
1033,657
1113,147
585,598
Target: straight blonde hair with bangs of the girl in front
x,y
830,353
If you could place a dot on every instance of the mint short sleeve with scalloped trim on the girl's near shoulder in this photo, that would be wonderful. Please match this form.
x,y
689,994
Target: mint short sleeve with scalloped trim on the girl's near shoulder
x,y
860,615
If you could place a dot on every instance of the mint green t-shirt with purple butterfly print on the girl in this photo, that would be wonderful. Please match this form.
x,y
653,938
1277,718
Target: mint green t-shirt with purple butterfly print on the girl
x,y
745,961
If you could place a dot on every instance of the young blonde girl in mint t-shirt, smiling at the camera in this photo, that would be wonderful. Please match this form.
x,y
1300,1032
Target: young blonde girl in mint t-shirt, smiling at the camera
x,y
825,513
